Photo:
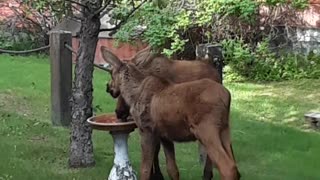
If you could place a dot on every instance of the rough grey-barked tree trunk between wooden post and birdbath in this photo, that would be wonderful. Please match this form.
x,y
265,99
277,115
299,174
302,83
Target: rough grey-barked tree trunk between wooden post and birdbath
x,y
81,148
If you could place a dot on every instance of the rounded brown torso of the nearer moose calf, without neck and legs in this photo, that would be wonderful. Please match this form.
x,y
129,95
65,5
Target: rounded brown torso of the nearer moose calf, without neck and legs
x,y
185,105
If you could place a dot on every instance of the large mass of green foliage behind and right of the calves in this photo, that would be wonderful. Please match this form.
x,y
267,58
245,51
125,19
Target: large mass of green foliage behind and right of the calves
x,y
177,27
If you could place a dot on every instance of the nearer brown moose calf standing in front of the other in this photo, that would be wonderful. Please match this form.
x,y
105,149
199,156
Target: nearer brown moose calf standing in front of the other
x,y
196,110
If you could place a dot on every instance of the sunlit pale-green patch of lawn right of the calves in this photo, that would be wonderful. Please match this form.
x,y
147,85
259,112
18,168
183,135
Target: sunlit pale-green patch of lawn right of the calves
x,y
281,103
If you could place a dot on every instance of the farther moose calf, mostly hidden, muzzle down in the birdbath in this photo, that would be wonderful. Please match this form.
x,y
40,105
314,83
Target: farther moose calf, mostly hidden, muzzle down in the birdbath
x,y
174,71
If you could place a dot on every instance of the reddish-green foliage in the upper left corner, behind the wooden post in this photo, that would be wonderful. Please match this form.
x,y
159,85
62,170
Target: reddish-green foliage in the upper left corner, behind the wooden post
x,y
31,22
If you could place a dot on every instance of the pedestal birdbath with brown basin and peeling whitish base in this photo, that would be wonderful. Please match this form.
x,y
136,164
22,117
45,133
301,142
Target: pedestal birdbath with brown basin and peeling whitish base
x,y
122,169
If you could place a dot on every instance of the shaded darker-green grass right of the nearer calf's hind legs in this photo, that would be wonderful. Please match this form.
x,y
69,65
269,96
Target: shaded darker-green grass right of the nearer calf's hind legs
x,y
269,151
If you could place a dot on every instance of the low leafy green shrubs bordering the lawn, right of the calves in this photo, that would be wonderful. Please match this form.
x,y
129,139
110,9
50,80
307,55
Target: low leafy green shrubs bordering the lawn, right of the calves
x,y
261,64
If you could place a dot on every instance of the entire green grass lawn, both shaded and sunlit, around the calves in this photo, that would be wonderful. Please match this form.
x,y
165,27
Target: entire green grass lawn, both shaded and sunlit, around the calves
x,y
270,138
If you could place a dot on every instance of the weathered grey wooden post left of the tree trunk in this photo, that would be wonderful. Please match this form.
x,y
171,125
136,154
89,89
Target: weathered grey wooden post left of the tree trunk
x,y
61,77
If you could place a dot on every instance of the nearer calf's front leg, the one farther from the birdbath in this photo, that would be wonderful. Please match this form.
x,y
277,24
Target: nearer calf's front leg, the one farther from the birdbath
x,y
169,152
